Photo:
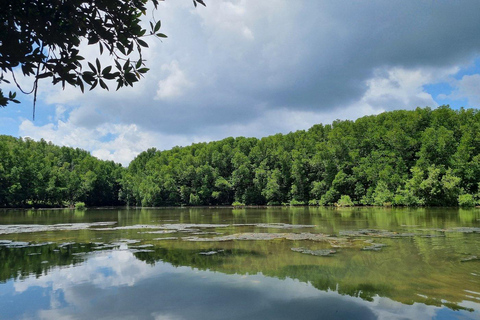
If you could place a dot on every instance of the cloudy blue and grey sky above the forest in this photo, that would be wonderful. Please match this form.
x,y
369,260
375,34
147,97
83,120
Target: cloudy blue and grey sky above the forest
x,y
256,68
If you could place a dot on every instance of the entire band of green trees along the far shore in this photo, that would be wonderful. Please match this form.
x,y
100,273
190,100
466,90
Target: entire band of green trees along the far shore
x,y
422,157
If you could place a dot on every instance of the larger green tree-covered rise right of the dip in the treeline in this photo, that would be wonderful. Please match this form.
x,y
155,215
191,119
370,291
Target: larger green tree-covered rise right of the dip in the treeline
x,y
407,158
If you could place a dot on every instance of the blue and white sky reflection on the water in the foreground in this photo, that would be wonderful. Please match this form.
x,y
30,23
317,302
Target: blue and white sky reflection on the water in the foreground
x,y
116,285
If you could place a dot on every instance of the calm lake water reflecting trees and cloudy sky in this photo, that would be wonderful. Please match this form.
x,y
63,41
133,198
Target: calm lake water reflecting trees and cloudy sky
x,y
275,263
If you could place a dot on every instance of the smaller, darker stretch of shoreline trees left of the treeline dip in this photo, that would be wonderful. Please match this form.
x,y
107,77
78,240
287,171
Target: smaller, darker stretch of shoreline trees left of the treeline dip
x,y
42,174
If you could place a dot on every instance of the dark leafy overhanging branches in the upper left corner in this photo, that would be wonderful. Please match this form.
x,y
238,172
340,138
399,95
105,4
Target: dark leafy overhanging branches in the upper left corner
x,y
41,39
